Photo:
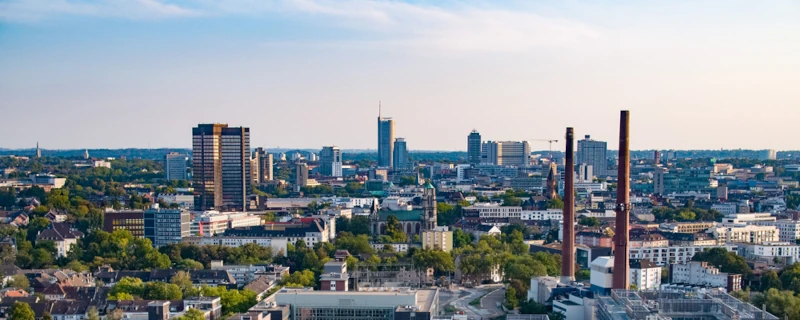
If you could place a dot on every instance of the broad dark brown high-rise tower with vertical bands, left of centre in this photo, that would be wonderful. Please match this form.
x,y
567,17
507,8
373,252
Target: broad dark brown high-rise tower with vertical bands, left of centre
x,y
221,163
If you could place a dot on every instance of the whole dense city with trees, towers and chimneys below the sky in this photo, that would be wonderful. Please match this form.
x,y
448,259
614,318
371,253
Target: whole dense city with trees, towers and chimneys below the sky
x,y
227,230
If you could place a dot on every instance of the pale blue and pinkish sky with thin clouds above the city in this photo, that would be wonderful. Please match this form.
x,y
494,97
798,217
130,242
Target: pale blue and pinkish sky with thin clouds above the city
x,y
306,73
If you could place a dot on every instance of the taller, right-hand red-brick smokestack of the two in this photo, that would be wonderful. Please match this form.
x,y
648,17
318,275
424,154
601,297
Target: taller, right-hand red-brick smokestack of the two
x,y
621,255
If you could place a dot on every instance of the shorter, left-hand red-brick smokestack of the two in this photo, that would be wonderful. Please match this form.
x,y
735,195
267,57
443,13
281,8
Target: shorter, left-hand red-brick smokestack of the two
x,y
568,247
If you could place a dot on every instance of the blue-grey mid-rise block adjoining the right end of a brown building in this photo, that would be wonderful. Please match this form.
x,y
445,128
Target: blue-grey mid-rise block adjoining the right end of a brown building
x,y
166,226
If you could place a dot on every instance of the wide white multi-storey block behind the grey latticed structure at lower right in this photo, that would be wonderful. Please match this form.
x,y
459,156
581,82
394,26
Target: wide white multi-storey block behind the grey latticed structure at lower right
x,y
699,273
